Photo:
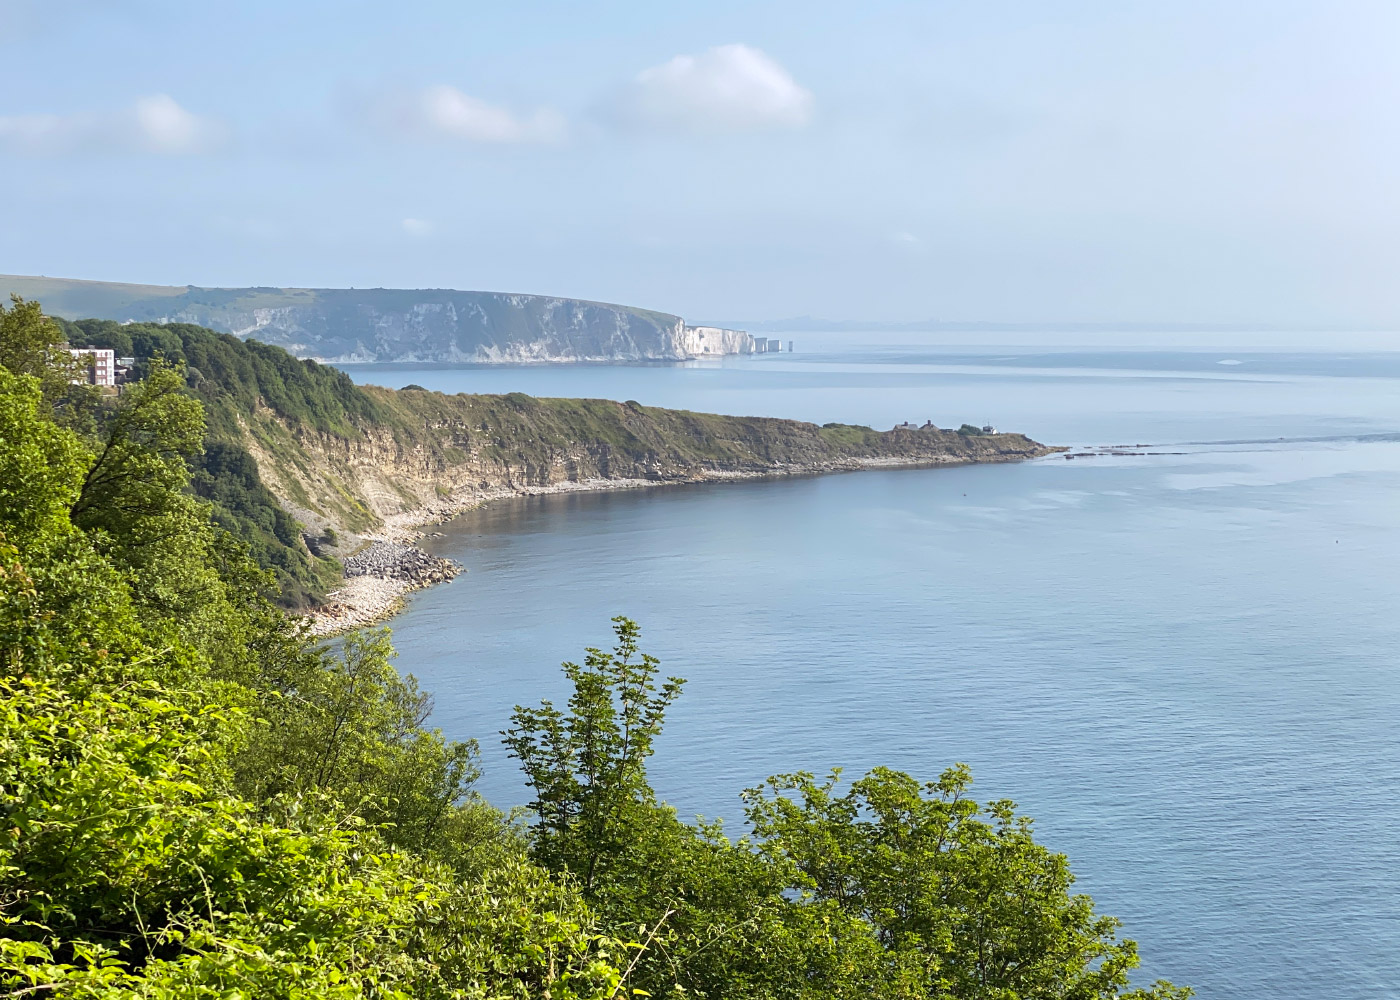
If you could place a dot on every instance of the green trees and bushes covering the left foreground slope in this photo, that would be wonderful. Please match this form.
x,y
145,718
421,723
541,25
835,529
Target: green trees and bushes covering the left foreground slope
x,y
142,849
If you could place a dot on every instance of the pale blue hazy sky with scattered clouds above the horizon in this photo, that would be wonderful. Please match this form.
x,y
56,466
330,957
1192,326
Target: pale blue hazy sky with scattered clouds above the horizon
x,y
1073,162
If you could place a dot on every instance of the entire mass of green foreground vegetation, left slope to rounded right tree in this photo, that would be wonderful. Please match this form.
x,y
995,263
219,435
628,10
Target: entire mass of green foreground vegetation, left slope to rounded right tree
x,y
195,802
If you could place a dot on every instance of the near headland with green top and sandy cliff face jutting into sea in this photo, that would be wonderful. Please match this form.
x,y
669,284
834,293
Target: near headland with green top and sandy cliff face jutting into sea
x,y
297,453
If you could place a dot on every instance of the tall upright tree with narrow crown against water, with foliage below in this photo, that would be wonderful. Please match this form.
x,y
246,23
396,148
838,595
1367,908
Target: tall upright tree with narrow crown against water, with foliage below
x,y
713,912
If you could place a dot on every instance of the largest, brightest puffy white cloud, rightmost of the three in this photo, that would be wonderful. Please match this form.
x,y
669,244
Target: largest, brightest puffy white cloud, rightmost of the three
x,y
727,89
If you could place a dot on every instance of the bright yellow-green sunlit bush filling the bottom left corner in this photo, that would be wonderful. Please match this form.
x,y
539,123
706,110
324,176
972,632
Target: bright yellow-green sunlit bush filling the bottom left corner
x,y
127,869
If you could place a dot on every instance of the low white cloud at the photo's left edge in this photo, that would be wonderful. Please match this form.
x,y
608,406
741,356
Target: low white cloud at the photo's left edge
x,y
155,124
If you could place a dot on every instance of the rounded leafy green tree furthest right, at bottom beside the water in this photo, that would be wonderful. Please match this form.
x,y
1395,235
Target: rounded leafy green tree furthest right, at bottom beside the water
x,y
960,893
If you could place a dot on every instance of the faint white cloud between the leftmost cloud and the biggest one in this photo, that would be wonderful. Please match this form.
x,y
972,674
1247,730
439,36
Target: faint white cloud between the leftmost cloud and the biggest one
x,y
446,113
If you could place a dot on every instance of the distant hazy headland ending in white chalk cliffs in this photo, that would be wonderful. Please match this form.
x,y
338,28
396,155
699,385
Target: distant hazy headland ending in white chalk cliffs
x,y
398,326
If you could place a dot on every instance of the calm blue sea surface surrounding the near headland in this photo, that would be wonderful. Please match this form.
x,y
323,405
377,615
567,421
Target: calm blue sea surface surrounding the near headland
x,y
1185,665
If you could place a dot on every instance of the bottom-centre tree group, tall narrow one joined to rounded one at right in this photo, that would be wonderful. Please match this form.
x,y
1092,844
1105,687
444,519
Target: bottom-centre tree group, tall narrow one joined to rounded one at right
x,y
892,890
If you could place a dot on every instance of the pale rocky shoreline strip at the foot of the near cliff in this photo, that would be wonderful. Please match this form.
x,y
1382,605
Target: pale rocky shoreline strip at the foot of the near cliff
x,y
381,575
